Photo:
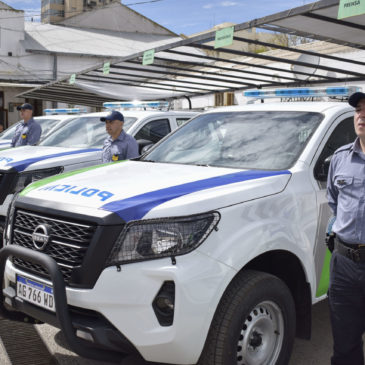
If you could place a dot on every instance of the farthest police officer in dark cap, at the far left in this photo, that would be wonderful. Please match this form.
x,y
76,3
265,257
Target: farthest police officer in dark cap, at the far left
x,y
28,132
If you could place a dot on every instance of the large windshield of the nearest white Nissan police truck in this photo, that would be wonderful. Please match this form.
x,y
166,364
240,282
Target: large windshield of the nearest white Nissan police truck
x,y
270,140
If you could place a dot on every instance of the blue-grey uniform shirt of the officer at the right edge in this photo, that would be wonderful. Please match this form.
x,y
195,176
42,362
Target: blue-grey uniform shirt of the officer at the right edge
x,y
346,192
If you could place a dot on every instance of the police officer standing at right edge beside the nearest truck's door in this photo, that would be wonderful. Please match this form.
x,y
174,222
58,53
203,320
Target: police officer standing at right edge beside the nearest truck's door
x,y
346,195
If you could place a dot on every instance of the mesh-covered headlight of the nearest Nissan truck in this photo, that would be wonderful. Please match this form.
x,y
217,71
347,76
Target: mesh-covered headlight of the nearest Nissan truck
x,y
156,238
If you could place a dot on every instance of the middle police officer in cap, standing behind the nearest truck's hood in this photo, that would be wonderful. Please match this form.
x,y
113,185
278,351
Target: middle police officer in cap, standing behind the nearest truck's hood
x,y
119,145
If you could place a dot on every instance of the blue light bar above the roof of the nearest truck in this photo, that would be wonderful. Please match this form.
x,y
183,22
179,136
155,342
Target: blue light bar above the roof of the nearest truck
x,y
301,92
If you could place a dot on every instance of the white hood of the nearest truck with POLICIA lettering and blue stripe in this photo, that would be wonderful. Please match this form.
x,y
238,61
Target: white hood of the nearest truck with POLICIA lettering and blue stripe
x,y
135,189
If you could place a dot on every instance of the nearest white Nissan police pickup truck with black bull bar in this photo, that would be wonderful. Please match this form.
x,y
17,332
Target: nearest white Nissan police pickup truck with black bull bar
x,y
208,249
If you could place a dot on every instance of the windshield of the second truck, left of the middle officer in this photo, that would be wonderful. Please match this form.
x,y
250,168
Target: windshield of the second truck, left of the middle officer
x,y
81,132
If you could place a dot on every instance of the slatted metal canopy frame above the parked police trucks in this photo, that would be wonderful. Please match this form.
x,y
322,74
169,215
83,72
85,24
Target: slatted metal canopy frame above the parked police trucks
x,y
193,67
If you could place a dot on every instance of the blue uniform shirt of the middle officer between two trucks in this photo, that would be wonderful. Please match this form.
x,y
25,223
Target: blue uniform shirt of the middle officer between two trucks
x,y
122,148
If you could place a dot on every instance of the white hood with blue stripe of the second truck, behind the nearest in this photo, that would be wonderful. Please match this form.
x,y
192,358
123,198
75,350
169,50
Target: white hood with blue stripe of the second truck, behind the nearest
x,y
37,157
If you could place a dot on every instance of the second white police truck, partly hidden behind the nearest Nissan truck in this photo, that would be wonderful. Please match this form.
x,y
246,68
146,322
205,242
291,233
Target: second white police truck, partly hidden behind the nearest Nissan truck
x,y
75,145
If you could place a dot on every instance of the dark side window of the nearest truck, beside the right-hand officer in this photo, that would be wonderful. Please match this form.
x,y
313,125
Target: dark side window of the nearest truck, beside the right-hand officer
x,y
343,134
